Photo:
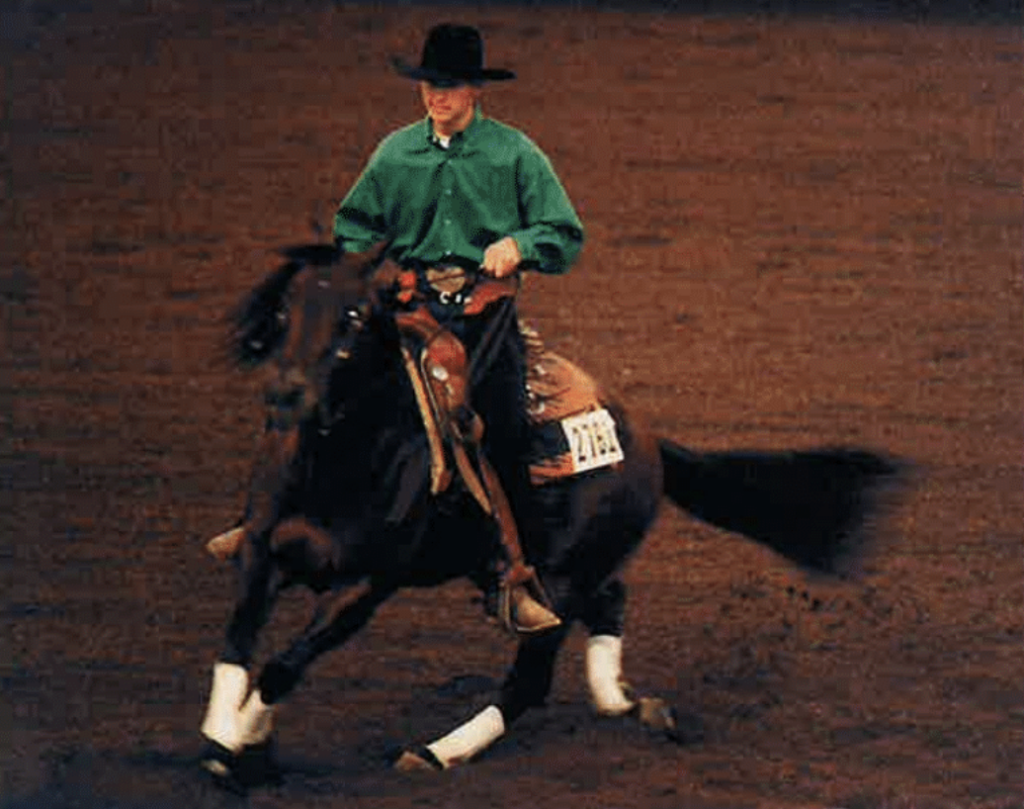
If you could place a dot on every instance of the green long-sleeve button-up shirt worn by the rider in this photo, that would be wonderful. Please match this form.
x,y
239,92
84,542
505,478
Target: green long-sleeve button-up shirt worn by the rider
x,y
436,204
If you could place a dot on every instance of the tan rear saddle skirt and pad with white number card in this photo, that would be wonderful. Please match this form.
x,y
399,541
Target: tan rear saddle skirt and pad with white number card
x,y
572,432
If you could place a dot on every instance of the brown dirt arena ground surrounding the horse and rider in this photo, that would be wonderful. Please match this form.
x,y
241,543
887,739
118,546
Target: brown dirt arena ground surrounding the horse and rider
x,y
802,232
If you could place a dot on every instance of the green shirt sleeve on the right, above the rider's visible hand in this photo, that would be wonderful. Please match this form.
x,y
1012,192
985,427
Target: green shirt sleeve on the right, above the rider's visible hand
x,y
552,235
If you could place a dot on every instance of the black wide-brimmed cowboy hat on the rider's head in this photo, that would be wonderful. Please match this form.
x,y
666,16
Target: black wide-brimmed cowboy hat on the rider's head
x,y
453,55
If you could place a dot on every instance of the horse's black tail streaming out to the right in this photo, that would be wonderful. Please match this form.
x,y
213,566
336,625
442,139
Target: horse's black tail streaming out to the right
x,y
809,506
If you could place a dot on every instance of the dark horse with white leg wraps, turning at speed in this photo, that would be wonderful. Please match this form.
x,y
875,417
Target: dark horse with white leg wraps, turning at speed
x,y
340,503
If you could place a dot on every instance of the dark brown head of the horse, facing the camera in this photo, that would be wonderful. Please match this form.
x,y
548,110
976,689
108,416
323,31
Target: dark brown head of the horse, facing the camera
x,y
321,314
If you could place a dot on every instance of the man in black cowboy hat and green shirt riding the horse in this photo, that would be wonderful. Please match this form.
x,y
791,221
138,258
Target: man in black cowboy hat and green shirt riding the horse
x,y
456,195
